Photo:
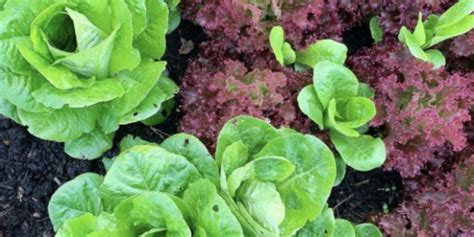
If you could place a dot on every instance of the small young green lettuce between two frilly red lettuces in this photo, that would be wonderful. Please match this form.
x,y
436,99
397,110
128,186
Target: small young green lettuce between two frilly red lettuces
x,y
337,101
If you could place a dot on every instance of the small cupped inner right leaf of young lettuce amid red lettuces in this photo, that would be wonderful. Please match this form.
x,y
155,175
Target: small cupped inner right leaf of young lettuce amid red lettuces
x,y
356,112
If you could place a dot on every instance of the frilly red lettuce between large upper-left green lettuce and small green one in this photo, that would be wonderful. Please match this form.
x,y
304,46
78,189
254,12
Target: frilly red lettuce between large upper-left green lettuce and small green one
x,y
216,88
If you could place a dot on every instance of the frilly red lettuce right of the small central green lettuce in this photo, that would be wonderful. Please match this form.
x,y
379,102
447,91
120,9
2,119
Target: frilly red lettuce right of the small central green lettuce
x,y
422,110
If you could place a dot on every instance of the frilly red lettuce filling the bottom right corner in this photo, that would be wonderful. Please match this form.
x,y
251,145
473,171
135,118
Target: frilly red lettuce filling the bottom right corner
x,y
439,204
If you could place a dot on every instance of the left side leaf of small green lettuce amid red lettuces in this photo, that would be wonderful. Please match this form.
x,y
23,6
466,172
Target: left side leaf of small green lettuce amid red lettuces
x,y
309,104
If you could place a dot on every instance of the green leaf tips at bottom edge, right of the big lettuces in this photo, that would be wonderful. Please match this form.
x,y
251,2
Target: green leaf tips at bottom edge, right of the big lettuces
x,y
326,225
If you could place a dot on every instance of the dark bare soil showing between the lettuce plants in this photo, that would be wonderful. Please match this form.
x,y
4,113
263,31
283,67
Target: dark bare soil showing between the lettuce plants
x,y
32,169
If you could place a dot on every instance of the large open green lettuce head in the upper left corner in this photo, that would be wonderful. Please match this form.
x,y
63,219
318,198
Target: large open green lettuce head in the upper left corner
x,y
74,71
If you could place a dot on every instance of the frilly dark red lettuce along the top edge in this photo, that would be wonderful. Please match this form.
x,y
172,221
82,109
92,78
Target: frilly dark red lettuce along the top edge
x,y
244,25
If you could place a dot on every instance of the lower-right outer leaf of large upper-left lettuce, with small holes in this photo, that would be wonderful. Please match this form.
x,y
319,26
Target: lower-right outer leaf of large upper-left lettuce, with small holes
x,y
164,90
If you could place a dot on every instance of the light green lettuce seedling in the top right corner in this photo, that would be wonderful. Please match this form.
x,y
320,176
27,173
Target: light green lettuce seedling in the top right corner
x,y
457,20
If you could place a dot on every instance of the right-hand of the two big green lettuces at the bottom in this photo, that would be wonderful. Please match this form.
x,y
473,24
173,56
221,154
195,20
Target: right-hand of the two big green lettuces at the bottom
x,y
273,180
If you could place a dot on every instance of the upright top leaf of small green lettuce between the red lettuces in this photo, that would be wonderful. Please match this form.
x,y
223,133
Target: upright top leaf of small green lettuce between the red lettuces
x,y
332,80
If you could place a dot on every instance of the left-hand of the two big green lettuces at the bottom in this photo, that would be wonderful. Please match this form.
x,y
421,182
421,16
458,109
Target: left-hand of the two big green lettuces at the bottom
x,y
149,190
